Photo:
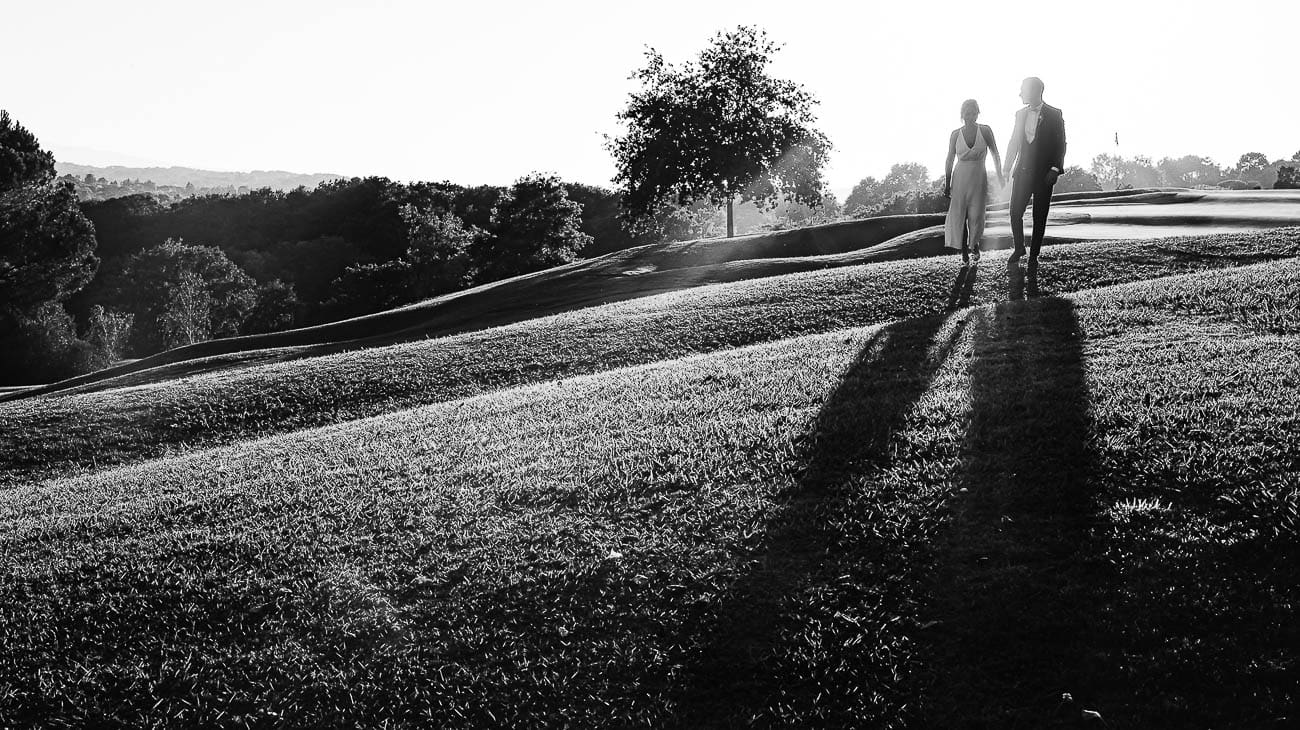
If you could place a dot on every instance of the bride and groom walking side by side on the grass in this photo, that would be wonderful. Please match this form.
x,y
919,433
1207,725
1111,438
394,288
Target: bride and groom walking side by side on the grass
x,y
1035,159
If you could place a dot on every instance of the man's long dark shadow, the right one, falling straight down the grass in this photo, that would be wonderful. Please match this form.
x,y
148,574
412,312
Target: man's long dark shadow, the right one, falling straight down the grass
x,y
1015,588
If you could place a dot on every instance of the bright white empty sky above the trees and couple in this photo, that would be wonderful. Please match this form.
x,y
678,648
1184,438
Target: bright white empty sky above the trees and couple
x,y
482,92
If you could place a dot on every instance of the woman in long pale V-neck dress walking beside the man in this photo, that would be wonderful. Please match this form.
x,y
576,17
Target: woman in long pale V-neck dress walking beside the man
x,y
968,185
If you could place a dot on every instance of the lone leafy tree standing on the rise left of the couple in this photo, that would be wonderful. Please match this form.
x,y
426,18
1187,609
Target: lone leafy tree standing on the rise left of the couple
x,y
718,129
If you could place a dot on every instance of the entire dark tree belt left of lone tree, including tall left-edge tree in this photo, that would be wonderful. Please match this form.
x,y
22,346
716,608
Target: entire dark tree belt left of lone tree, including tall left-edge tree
x,y
86,284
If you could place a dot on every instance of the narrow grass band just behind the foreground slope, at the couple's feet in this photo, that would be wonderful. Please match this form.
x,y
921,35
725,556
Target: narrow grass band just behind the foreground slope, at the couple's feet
x,y
159,412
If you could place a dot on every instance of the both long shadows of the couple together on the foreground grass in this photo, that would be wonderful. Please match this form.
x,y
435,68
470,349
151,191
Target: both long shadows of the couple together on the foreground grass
x,y
904,549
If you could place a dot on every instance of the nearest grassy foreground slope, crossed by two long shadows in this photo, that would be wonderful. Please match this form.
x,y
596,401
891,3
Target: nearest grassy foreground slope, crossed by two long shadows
x,y
947,522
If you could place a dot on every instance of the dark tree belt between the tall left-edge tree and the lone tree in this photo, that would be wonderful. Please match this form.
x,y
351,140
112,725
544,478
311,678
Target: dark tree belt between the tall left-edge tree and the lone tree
x,y
268,260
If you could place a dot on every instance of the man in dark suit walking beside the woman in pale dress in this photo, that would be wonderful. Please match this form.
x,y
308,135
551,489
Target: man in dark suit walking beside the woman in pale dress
x,y
1037,155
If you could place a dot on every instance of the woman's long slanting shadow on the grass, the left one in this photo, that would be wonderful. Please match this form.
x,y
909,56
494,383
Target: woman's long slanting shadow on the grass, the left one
x,y
786,645
